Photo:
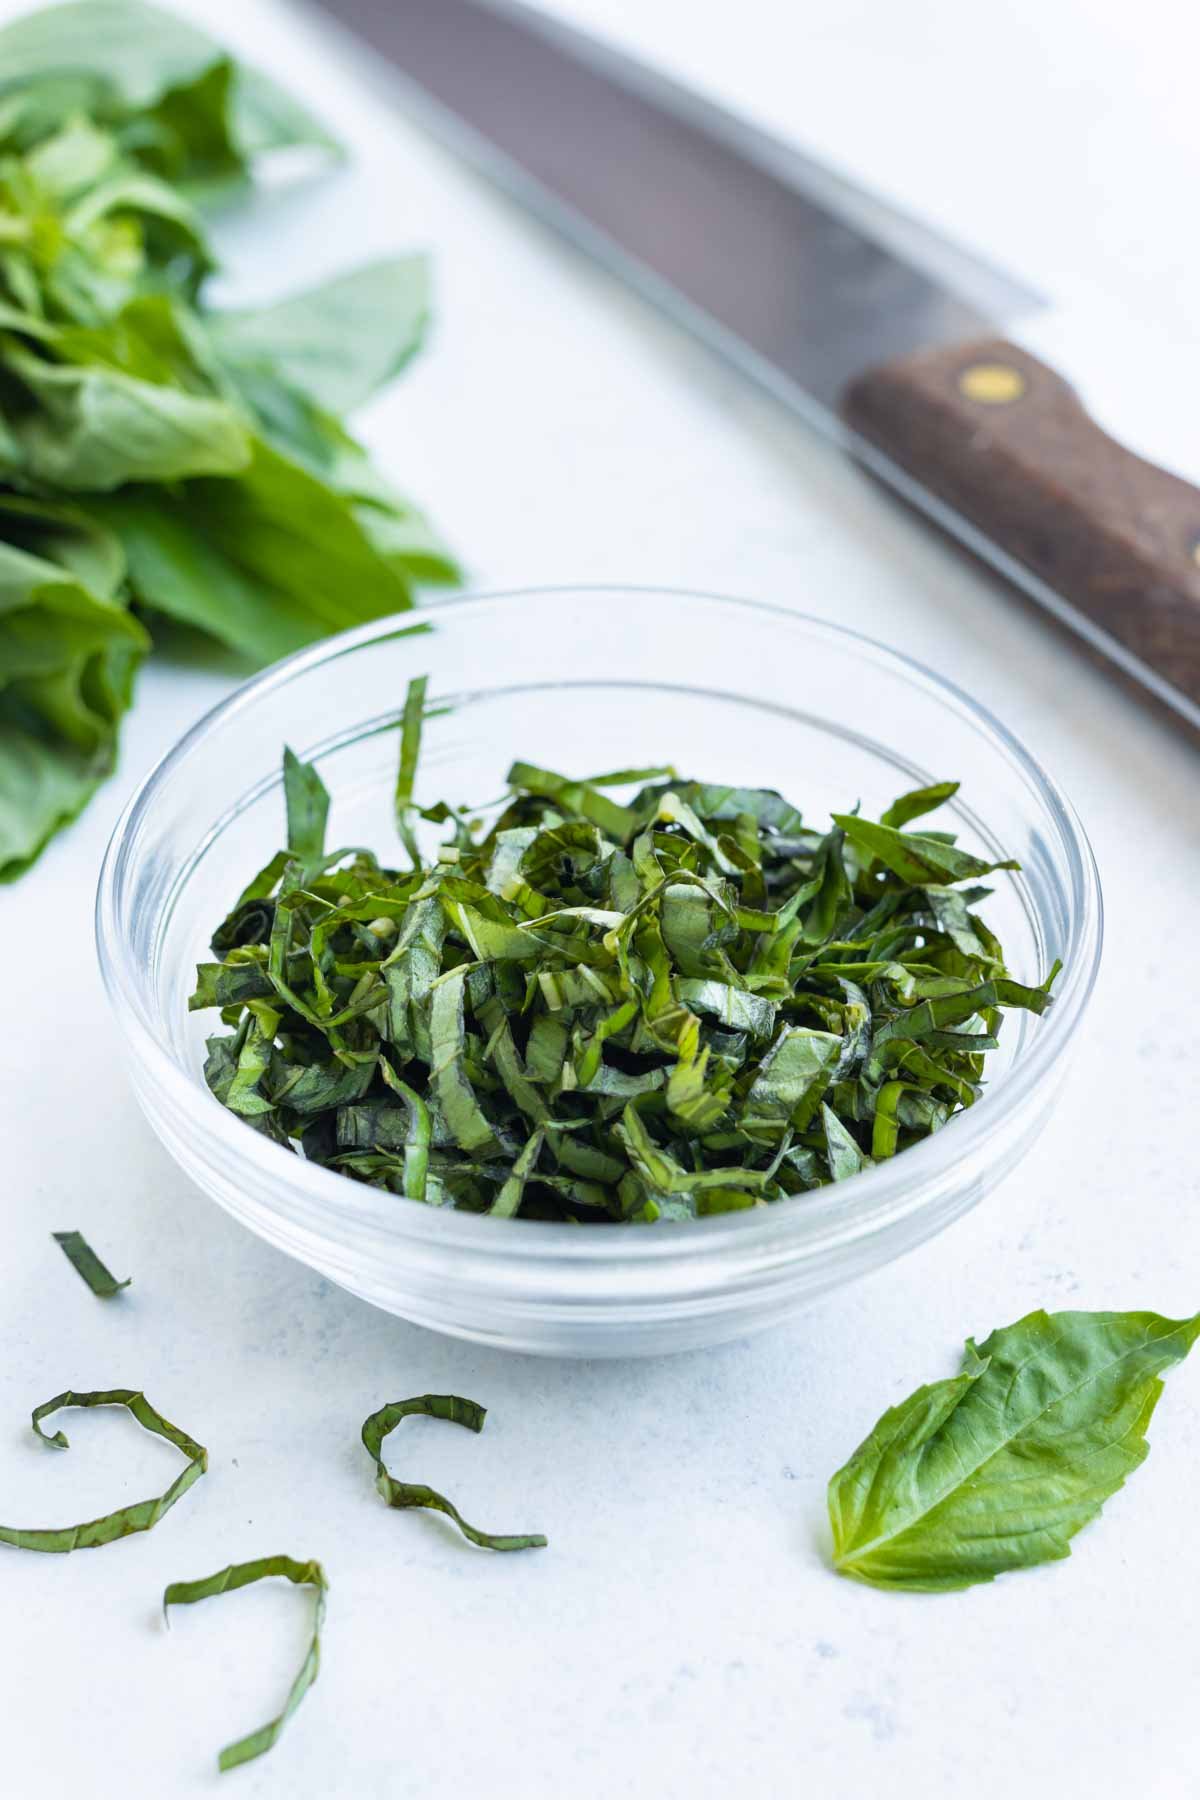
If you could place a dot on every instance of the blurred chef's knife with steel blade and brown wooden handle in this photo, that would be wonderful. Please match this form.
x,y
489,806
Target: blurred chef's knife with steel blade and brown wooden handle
x,y
877,330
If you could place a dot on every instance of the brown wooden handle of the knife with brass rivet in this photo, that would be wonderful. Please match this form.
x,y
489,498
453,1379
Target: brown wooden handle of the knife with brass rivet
x,y
1007,444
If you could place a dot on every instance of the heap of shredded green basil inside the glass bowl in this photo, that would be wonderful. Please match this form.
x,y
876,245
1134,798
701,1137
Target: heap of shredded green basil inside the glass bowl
x,y
681,1003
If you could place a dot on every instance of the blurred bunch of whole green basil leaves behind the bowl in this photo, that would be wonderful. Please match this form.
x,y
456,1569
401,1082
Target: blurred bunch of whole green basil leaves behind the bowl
x,y
161,462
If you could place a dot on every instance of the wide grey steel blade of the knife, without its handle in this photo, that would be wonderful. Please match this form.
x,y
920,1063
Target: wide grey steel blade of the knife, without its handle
x,y
787,265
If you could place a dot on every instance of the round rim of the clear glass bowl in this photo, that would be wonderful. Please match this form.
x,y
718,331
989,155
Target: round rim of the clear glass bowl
x,y
316,1198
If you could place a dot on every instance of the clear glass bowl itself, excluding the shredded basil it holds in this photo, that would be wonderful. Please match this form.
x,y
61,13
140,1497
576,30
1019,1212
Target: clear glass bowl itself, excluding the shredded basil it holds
x,y
587,679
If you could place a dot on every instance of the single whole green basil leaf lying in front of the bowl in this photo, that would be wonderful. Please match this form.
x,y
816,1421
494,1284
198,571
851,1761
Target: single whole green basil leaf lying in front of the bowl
x,y
1001,1466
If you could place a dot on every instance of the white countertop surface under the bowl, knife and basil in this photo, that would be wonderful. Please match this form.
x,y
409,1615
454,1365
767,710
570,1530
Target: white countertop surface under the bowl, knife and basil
x,y
683,1635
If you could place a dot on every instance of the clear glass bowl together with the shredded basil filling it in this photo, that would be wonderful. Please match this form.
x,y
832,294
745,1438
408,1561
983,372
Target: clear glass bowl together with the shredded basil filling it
x,y
607,971
